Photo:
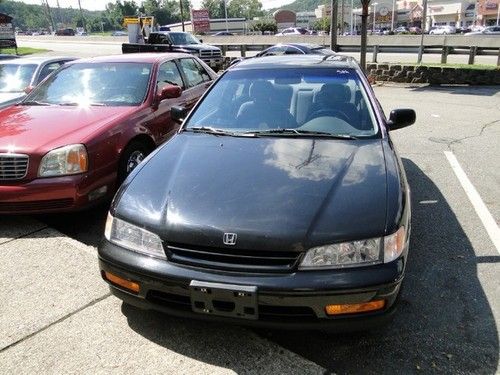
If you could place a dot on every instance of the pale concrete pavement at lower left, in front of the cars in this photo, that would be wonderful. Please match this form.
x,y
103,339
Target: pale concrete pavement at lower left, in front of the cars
x,y
57,317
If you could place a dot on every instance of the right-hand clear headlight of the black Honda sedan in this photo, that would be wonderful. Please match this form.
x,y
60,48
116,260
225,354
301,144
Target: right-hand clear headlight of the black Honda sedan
x,y
356,253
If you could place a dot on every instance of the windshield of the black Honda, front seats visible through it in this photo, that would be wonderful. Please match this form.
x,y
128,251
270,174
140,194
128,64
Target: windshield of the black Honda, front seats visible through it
x,y
288,102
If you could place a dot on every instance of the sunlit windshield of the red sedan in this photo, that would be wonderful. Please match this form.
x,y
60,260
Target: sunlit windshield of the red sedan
x,y
111,84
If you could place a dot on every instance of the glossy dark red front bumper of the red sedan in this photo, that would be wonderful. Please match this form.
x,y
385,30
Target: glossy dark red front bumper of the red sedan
x,y
54,194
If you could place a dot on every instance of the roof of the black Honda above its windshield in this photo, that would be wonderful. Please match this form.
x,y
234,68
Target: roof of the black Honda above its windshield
x,y
297,61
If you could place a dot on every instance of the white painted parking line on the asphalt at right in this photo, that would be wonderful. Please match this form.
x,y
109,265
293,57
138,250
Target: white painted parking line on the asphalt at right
x,y
482,211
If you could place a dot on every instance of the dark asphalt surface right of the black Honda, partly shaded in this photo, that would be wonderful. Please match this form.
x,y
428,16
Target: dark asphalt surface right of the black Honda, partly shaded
x,y
450,308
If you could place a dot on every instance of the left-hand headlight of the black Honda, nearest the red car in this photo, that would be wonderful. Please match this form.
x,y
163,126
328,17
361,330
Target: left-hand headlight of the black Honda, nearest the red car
x,y
133,238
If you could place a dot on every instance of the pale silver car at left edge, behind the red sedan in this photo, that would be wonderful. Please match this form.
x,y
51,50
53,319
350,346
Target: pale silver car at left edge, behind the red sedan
x,y
19,76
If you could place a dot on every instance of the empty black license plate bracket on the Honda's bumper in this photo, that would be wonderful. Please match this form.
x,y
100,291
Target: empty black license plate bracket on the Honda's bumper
x,y
234,301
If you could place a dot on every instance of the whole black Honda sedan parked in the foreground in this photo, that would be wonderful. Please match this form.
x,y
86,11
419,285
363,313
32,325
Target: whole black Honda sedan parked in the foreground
x,y
281,202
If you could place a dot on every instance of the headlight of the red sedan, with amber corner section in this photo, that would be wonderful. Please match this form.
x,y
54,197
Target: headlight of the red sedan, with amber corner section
x,y
72,159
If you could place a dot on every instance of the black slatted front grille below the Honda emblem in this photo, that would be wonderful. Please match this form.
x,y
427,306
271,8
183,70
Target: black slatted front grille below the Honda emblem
x,y
233,259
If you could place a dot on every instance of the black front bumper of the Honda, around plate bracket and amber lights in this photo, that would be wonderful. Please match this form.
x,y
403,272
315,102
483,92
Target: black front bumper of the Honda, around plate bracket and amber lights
x,y
293,300
